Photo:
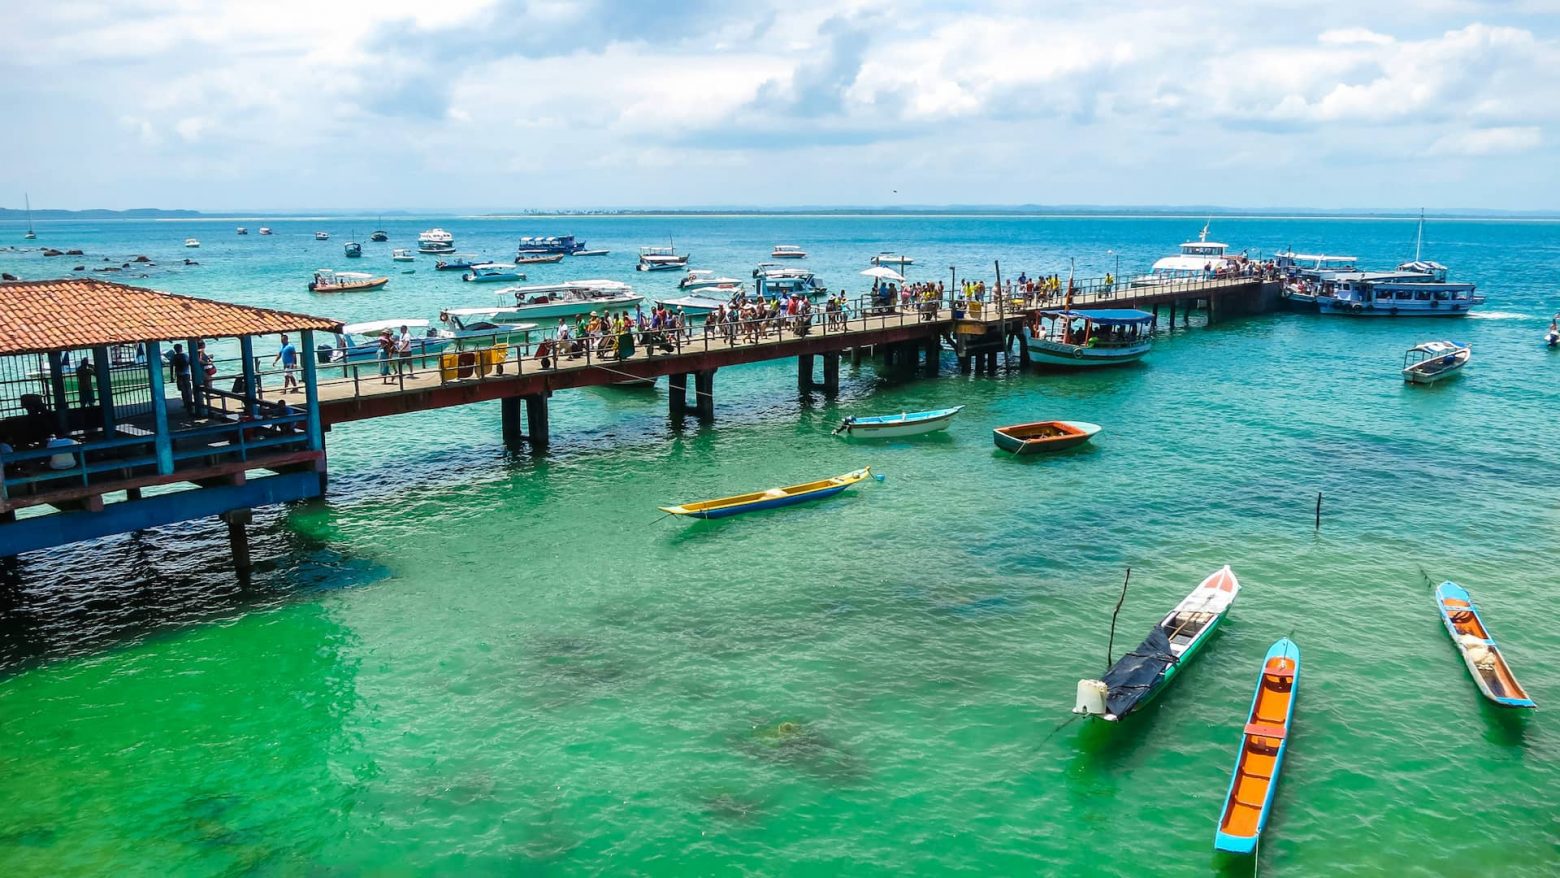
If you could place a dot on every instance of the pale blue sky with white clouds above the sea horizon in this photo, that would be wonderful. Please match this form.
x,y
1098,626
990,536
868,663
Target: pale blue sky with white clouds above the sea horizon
x,y
512,105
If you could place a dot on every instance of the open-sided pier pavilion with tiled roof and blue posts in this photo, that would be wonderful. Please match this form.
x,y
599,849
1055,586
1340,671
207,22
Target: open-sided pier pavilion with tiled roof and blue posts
x,y
110,422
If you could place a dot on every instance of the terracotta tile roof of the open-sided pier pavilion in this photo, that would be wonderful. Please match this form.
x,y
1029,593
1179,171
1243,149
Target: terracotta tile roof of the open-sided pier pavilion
x,y
71,314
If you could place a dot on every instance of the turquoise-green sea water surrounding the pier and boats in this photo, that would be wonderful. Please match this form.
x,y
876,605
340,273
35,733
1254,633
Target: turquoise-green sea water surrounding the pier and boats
x,y
473,660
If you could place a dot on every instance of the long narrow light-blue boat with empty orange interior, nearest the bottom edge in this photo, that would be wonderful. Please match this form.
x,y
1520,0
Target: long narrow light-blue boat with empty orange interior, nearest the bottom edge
x,y
1263,745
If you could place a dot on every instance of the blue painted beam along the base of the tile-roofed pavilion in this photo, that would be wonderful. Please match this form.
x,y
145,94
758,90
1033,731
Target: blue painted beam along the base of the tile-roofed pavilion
x,y
62,528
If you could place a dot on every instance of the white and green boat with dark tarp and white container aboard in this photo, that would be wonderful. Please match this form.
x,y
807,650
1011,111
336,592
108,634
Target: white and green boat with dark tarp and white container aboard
x,y
1149,668
